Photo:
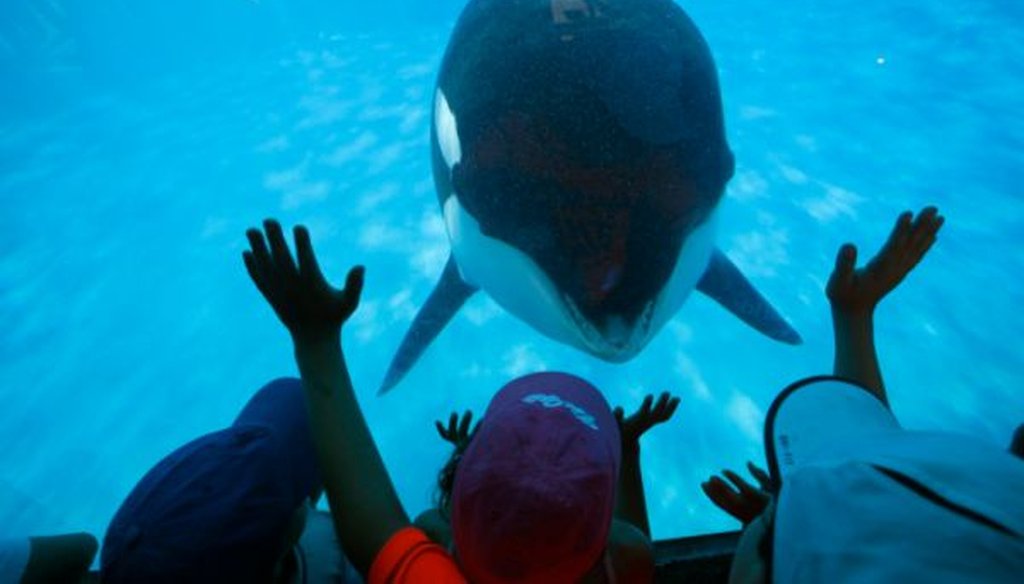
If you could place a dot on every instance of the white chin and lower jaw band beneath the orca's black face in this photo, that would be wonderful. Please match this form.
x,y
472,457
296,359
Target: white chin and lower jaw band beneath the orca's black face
x,y
516,282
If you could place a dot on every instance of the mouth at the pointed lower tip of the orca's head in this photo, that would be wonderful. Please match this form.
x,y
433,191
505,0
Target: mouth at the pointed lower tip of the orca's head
x,y
616,340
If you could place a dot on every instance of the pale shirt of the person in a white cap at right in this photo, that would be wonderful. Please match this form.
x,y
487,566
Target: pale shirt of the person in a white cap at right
x,y
849,522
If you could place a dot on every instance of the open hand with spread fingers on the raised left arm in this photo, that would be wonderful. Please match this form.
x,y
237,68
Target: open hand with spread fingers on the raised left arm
x,y
309,307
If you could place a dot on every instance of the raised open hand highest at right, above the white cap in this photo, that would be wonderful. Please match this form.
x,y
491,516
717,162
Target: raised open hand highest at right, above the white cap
x,y
854,291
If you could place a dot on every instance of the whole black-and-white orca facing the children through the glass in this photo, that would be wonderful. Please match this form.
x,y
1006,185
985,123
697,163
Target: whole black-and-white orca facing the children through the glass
x,y
579,155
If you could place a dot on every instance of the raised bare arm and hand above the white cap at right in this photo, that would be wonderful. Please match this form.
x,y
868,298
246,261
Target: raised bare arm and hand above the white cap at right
x,y
855,294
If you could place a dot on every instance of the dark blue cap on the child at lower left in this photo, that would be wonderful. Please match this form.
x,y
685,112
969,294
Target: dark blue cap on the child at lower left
x,y
218,510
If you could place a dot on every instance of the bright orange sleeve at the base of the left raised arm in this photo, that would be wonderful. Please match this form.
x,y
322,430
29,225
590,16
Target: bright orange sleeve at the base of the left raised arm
x,y
410,558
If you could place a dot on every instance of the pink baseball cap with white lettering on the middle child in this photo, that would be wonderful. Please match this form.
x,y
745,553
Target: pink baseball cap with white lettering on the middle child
x,y
535,492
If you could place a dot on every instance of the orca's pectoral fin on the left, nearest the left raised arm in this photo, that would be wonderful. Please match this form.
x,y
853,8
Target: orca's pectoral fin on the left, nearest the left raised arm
x,y
450,295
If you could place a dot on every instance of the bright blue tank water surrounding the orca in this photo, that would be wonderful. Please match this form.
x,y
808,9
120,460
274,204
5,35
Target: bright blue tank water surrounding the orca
x,y
139,141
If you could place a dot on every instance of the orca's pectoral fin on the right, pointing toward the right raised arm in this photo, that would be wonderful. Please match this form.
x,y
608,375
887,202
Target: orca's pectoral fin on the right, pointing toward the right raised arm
x,y
723,283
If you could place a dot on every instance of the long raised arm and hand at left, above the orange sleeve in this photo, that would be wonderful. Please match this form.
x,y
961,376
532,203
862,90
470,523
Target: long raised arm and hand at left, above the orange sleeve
x,y
366,510
